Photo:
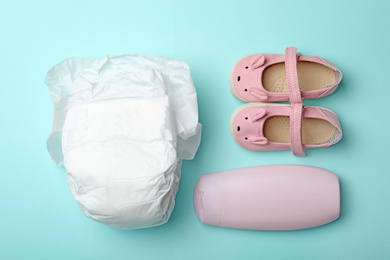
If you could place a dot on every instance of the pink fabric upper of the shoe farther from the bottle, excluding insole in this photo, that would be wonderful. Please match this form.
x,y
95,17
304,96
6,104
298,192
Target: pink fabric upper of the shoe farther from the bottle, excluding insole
x,y
246,77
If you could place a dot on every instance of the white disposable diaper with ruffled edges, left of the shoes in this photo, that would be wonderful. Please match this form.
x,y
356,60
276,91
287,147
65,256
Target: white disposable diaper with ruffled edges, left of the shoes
x,y
121,128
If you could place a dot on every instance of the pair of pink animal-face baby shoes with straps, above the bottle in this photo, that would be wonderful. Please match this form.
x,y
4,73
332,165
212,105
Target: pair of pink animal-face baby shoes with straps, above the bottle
x,y
261,78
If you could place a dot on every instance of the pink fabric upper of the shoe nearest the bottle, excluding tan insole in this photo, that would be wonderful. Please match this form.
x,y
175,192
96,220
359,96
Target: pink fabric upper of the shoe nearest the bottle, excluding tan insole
x,y
248,120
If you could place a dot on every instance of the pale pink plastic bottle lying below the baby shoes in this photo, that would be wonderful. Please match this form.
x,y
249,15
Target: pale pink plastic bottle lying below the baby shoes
x,y
275,197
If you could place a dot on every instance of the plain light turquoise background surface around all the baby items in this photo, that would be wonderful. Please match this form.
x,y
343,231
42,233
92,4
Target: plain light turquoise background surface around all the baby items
x,y
39,218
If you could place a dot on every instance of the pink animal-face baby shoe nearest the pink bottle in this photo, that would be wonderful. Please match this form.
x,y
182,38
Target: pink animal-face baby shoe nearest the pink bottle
x,y
268,126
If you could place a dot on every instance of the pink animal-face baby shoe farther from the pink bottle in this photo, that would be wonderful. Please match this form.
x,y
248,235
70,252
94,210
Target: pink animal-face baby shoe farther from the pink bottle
x,y
274,77
